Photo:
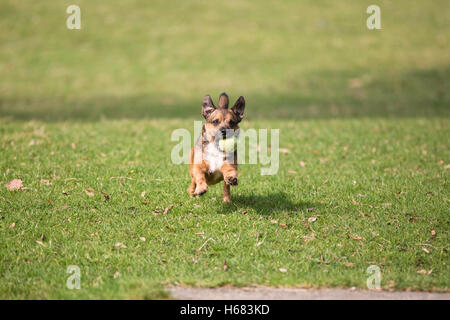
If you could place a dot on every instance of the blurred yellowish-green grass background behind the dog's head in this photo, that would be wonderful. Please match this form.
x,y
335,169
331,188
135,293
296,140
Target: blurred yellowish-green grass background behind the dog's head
x,y
290,59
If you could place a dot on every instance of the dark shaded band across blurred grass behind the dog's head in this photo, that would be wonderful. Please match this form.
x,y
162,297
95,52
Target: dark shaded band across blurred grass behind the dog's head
x,y
423,93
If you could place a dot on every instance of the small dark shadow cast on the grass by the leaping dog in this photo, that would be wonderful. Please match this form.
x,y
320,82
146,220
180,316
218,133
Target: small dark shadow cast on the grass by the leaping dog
x,y
268,204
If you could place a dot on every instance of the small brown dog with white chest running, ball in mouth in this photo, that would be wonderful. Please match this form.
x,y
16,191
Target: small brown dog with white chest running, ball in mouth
x,y
208,164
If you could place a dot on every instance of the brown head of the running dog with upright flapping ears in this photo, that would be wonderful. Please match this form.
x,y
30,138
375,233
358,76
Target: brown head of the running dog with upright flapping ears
x,y
222,122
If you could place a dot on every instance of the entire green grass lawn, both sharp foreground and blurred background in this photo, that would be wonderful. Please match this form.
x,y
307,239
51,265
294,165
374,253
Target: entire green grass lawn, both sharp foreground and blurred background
x,y
92,111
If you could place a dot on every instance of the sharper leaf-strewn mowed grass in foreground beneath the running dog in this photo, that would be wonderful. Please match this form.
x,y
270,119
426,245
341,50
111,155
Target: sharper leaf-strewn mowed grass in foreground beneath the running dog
x,y
376,188
